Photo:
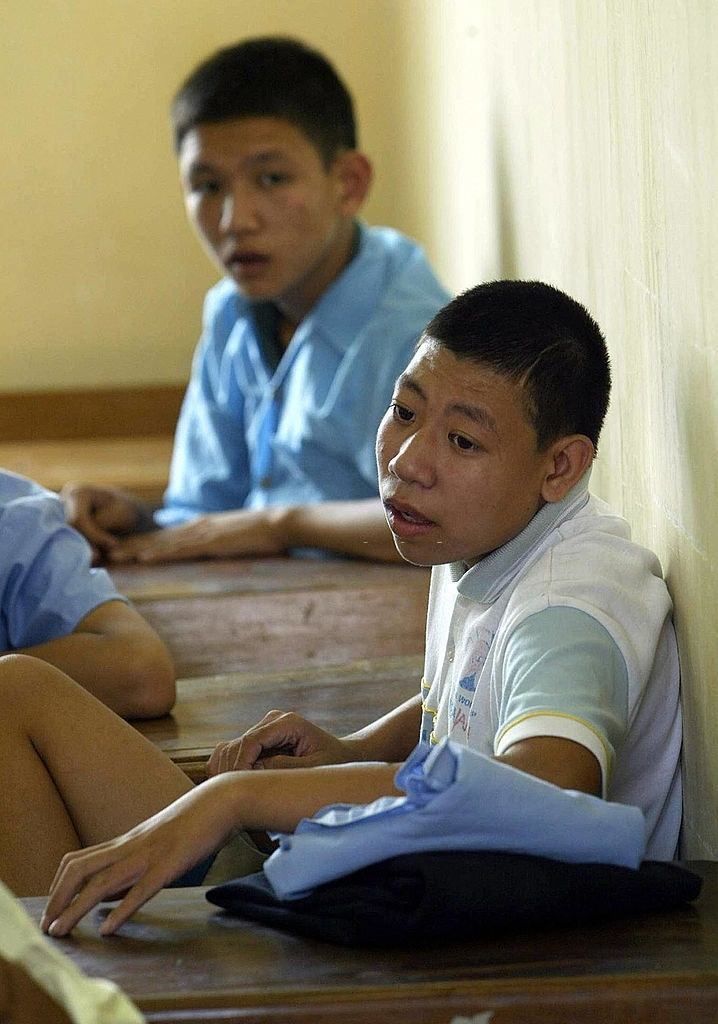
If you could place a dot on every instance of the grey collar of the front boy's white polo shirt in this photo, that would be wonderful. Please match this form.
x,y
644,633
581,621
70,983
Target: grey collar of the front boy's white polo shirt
x,y
486,581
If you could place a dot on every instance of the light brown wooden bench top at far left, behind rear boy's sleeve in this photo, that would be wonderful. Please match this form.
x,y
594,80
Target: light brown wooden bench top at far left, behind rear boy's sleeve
x,y
137,464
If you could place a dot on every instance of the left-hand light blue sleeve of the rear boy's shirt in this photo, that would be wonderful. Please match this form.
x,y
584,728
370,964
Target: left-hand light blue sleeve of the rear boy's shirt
x,y
210,467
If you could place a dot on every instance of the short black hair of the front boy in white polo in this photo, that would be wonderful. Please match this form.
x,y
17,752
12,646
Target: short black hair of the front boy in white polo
x,y
540,338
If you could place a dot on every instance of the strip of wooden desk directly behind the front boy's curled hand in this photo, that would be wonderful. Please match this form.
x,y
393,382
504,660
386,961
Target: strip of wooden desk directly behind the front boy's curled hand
x,y
340,699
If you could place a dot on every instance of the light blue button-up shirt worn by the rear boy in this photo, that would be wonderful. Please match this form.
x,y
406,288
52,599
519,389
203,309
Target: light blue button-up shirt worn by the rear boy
x,y
251,436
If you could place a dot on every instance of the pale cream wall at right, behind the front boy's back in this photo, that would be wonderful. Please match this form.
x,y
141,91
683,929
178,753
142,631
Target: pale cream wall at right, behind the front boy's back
x,y
577,142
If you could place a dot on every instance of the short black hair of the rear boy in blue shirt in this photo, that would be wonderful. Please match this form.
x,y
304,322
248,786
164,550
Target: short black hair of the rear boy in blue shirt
x,y
271,76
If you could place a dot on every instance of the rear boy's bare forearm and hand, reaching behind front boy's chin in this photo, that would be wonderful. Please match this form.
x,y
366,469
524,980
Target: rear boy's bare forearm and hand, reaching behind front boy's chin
x,y
357,529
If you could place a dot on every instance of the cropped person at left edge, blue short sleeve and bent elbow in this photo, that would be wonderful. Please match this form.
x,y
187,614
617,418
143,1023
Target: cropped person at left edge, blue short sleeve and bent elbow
x,y
55,607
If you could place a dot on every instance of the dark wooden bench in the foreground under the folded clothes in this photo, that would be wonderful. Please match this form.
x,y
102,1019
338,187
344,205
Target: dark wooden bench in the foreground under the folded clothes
x,y
182,960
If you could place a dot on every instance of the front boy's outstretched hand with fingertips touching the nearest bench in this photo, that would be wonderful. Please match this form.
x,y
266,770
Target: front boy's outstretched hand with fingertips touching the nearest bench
x,y
139,864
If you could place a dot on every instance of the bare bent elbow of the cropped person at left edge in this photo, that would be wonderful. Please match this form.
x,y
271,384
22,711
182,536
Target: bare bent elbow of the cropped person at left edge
x,y
116,656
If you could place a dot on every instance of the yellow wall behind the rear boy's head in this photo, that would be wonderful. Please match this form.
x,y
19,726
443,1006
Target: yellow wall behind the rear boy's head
x,y
101,279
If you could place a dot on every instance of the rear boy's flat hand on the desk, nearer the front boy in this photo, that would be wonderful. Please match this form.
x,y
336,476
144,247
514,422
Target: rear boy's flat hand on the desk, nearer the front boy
x,y
248,532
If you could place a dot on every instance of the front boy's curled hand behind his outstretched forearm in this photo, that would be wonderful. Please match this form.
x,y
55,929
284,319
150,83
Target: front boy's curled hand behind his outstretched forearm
x,y
282,740
